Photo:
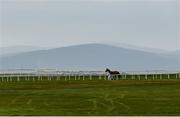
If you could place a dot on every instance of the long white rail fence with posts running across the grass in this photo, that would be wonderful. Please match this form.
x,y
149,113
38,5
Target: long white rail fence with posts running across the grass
x,y
66,77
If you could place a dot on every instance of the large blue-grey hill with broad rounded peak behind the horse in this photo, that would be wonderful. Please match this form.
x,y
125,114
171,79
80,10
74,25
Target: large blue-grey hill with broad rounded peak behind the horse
x,y
91,57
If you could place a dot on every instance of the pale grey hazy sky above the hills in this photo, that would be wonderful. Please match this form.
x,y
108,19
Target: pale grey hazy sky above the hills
x,y
149,23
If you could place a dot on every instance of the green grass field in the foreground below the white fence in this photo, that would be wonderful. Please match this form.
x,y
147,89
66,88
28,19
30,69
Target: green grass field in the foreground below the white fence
x,y
96,97
